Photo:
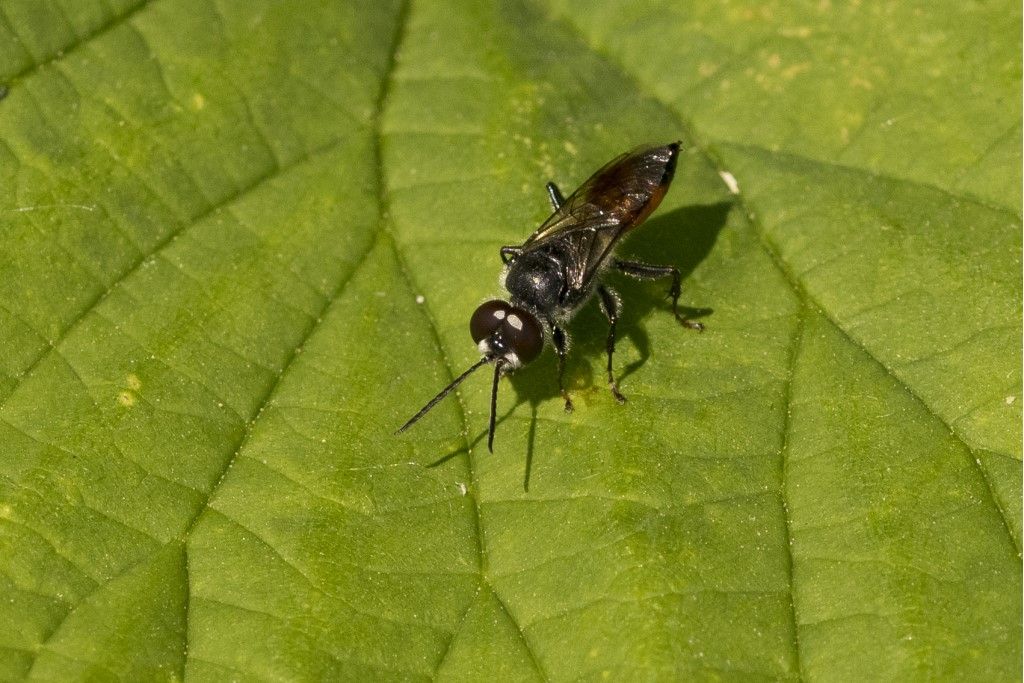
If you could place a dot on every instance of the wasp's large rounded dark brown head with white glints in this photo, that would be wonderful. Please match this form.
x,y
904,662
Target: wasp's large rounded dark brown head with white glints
x,y
505,331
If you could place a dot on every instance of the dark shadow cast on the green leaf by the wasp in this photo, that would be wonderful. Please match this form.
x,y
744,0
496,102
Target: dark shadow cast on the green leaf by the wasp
x,y
685,238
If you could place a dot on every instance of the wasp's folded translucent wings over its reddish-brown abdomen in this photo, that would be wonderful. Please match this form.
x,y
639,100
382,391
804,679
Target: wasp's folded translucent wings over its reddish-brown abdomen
x,y
607,206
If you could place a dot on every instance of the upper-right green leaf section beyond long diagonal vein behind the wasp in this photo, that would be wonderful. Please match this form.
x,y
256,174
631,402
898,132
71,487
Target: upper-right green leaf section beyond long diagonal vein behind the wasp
x,y
908,189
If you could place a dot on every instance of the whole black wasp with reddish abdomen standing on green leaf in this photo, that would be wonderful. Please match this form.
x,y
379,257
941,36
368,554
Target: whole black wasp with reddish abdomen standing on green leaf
x,y
560,268
